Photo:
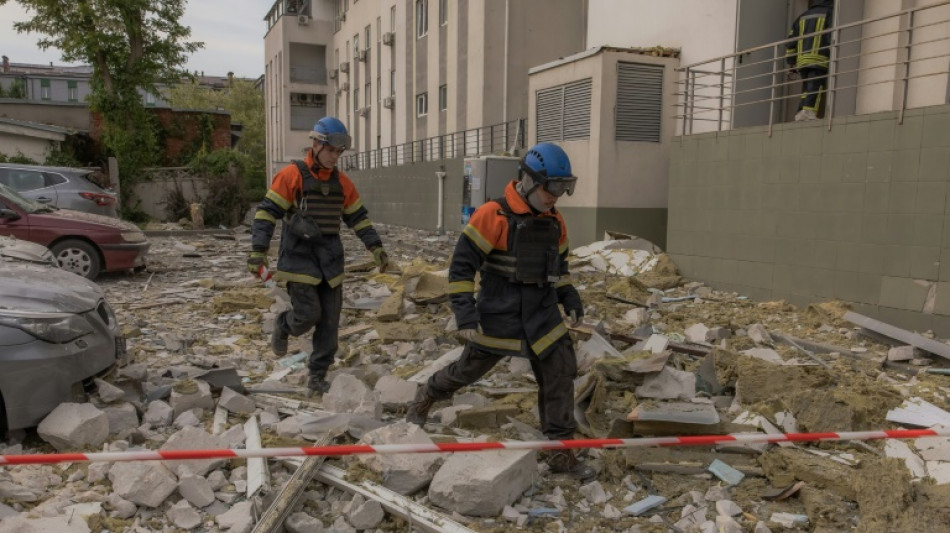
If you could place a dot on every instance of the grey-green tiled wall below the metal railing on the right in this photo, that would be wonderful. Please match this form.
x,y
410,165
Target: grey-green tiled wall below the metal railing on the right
x,y
858,213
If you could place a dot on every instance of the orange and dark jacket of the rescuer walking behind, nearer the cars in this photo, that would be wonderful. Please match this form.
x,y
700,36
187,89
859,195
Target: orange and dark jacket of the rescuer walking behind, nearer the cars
x,y
330,196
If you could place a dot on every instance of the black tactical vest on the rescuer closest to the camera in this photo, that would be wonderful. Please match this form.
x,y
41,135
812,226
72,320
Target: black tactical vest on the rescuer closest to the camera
x,y
532,255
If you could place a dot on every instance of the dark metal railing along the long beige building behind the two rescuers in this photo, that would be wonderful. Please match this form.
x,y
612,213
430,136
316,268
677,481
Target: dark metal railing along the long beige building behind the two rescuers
x,y
496,138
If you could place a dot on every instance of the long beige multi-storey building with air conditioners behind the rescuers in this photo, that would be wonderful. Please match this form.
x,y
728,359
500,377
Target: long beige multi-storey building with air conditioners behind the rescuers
x,y
397,71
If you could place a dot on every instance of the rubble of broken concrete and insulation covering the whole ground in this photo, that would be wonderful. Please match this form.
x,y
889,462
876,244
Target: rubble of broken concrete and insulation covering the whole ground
x,y
658,356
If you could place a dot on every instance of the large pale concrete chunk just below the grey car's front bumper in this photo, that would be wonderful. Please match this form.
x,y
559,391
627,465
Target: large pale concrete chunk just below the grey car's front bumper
x,y
72,426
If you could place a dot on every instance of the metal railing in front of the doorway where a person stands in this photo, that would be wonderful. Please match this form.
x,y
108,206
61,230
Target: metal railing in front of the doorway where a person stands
x,y
902,53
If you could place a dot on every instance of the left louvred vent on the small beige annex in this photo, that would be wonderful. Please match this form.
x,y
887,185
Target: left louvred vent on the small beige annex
x,y
564,112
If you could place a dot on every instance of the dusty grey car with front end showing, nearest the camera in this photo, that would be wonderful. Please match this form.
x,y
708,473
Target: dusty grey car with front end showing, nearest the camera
x,y
57,333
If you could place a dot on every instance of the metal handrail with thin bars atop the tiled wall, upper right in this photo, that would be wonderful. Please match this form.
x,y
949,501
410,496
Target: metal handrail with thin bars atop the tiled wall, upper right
x,y
711,90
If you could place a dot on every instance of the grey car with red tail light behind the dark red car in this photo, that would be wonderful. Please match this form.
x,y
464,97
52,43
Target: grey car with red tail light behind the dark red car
x,y
63,187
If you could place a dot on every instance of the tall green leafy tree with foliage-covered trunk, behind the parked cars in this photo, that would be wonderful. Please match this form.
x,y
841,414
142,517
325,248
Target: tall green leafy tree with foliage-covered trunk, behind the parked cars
x,y
132,45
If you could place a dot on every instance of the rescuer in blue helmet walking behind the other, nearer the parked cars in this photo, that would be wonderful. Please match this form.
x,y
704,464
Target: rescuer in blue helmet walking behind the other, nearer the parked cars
x,y
311,197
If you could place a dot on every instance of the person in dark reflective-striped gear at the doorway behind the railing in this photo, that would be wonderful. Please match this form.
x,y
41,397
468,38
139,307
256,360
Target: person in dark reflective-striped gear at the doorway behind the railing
x,y
809,54
